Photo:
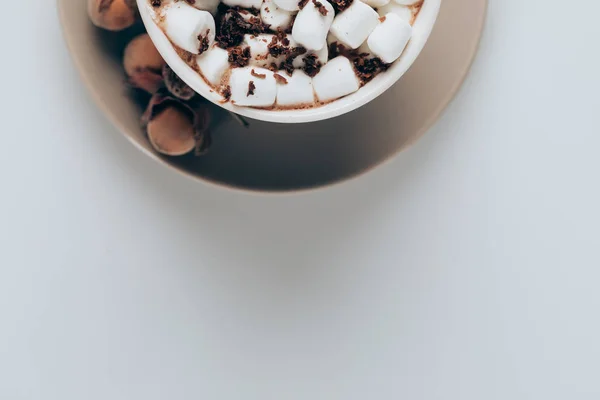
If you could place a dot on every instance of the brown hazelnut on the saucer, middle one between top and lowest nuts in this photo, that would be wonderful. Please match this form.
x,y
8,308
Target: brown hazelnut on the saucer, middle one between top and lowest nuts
x,y
143,64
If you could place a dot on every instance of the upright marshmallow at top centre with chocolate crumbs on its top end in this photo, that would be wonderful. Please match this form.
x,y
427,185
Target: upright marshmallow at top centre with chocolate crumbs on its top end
x,y
311,27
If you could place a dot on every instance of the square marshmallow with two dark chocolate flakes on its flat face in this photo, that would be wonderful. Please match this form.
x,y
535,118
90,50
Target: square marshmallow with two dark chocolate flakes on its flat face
x,y
264,90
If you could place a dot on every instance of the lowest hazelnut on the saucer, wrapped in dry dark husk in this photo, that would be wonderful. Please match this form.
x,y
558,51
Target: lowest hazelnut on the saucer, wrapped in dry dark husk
x,y
175,127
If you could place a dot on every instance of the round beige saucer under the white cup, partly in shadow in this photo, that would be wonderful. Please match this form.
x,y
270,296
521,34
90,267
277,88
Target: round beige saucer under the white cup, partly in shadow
x,y
283,157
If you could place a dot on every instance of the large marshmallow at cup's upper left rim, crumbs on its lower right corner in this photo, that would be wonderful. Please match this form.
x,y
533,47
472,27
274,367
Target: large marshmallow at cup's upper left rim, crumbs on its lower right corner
x,y
184,24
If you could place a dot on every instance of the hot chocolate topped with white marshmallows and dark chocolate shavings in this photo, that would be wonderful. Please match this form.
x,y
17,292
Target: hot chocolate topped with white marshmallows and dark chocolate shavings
x,y
287,54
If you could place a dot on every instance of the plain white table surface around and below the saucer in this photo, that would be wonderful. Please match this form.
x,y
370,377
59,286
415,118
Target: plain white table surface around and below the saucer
x,y
465,269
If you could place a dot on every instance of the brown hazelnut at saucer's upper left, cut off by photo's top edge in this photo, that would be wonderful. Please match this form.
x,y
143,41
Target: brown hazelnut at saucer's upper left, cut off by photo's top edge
x,y
113,15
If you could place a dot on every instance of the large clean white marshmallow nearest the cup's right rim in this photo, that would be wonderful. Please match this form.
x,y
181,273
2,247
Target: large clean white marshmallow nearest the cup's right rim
x,y
390,38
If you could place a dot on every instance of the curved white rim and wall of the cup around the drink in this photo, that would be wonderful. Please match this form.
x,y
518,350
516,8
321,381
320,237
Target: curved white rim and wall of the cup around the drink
x,y
422,28
